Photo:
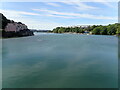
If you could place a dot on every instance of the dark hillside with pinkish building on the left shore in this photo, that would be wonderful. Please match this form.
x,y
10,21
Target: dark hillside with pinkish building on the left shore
x,y
10,28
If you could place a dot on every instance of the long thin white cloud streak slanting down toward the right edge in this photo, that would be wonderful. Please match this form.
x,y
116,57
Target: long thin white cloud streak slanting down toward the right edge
x,y
74,15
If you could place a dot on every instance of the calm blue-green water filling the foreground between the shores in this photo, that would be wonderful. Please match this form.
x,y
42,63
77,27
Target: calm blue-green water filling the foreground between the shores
x,y
60,61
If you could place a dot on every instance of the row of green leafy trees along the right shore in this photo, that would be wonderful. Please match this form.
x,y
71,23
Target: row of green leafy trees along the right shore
x,y
111,29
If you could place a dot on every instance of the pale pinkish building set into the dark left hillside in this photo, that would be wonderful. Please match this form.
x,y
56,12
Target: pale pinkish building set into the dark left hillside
x,y
15,27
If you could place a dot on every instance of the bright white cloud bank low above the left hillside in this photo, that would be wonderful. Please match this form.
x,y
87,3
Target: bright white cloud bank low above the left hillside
x,y
32,23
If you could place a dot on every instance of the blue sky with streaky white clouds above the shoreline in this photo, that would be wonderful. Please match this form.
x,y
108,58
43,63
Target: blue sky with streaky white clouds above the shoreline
x,y
49,15
